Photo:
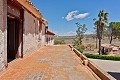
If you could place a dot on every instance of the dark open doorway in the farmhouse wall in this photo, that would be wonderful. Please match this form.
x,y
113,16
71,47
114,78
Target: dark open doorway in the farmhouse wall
x,y
12,38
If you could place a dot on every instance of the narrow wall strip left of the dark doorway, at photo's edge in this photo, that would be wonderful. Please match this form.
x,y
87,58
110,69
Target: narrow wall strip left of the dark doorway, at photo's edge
x,y
3,33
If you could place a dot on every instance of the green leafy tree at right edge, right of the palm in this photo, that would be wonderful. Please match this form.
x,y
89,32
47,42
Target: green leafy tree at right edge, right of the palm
x,y
114,30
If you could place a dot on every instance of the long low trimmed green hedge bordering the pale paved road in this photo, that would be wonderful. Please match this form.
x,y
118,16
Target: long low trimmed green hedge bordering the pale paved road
x,y
114,58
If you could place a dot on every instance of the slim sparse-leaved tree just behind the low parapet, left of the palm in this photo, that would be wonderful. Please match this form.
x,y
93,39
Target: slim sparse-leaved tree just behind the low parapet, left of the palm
x,y
80,34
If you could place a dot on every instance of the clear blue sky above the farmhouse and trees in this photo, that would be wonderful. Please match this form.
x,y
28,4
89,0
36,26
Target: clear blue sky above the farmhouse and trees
x,y
63,14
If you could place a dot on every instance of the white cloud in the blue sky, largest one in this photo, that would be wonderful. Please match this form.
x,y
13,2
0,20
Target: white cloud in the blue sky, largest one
x,y
74,15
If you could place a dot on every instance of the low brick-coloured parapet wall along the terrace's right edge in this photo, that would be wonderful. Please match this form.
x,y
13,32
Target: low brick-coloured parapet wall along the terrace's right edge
x,y
99,72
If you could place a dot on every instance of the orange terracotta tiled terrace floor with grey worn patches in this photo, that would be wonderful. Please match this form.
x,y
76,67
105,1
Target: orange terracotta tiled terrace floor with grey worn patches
x,y
48,63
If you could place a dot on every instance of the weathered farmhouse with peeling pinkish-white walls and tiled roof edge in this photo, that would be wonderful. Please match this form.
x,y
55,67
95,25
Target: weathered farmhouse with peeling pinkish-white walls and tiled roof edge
x,y
22,30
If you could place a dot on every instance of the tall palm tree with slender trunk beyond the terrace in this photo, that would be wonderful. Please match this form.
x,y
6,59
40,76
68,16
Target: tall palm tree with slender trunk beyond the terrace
x,y
100,24
